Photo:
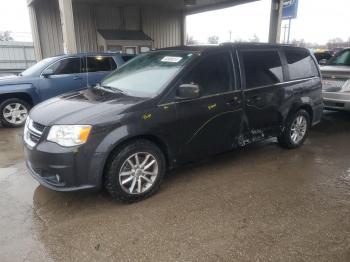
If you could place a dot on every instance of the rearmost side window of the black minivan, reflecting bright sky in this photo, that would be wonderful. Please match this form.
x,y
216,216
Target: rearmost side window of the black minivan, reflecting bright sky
x,y
301,65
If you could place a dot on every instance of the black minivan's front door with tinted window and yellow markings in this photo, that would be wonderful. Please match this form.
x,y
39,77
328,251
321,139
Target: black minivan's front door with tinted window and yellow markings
x,y
210,123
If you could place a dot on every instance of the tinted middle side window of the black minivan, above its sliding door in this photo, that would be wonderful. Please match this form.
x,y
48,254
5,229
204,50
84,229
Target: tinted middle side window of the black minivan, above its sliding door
x,y
262,68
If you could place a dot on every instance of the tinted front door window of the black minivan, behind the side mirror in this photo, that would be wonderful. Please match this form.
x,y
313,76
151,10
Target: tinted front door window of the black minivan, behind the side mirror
x,y
212,74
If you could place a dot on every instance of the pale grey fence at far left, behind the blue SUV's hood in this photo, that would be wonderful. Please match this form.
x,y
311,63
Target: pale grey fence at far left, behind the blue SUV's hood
x,y
16,56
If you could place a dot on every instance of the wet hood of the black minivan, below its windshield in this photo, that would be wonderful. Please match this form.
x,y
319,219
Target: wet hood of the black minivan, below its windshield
x,y
90,106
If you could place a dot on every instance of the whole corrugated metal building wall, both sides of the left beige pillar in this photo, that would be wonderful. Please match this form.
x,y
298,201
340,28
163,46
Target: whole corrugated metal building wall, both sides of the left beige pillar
x,y
162,25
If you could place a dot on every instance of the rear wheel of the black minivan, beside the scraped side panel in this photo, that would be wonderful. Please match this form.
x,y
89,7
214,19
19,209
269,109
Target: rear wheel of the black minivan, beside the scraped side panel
x,y
296,130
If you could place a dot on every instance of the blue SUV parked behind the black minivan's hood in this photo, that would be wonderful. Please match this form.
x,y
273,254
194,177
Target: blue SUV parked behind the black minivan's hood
x,y
52,77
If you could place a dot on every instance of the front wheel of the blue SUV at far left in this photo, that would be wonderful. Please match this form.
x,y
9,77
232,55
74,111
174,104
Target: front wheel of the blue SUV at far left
x,y
14,112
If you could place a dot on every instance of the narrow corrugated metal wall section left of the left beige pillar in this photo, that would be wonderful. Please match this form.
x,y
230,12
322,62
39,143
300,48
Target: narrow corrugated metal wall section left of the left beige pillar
x,y
49,27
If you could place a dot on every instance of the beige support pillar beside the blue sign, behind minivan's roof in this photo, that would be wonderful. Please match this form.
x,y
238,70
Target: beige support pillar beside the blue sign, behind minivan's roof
x,y
275,21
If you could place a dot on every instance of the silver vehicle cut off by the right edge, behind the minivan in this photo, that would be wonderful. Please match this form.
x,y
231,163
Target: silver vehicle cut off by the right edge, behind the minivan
x,y
336,82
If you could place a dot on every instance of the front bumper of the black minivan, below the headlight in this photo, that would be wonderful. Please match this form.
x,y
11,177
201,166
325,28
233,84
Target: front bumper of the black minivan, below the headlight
x,y
64,169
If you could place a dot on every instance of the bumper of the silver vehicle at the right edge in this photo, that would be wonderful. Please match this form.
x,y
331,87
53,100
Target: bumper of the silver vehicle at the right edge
x,y
337,100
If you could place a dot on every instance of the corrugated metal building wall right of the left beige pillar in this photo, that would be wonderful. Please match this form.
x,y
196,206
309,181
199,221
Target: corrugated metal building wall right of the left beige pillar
x,y
163,26
